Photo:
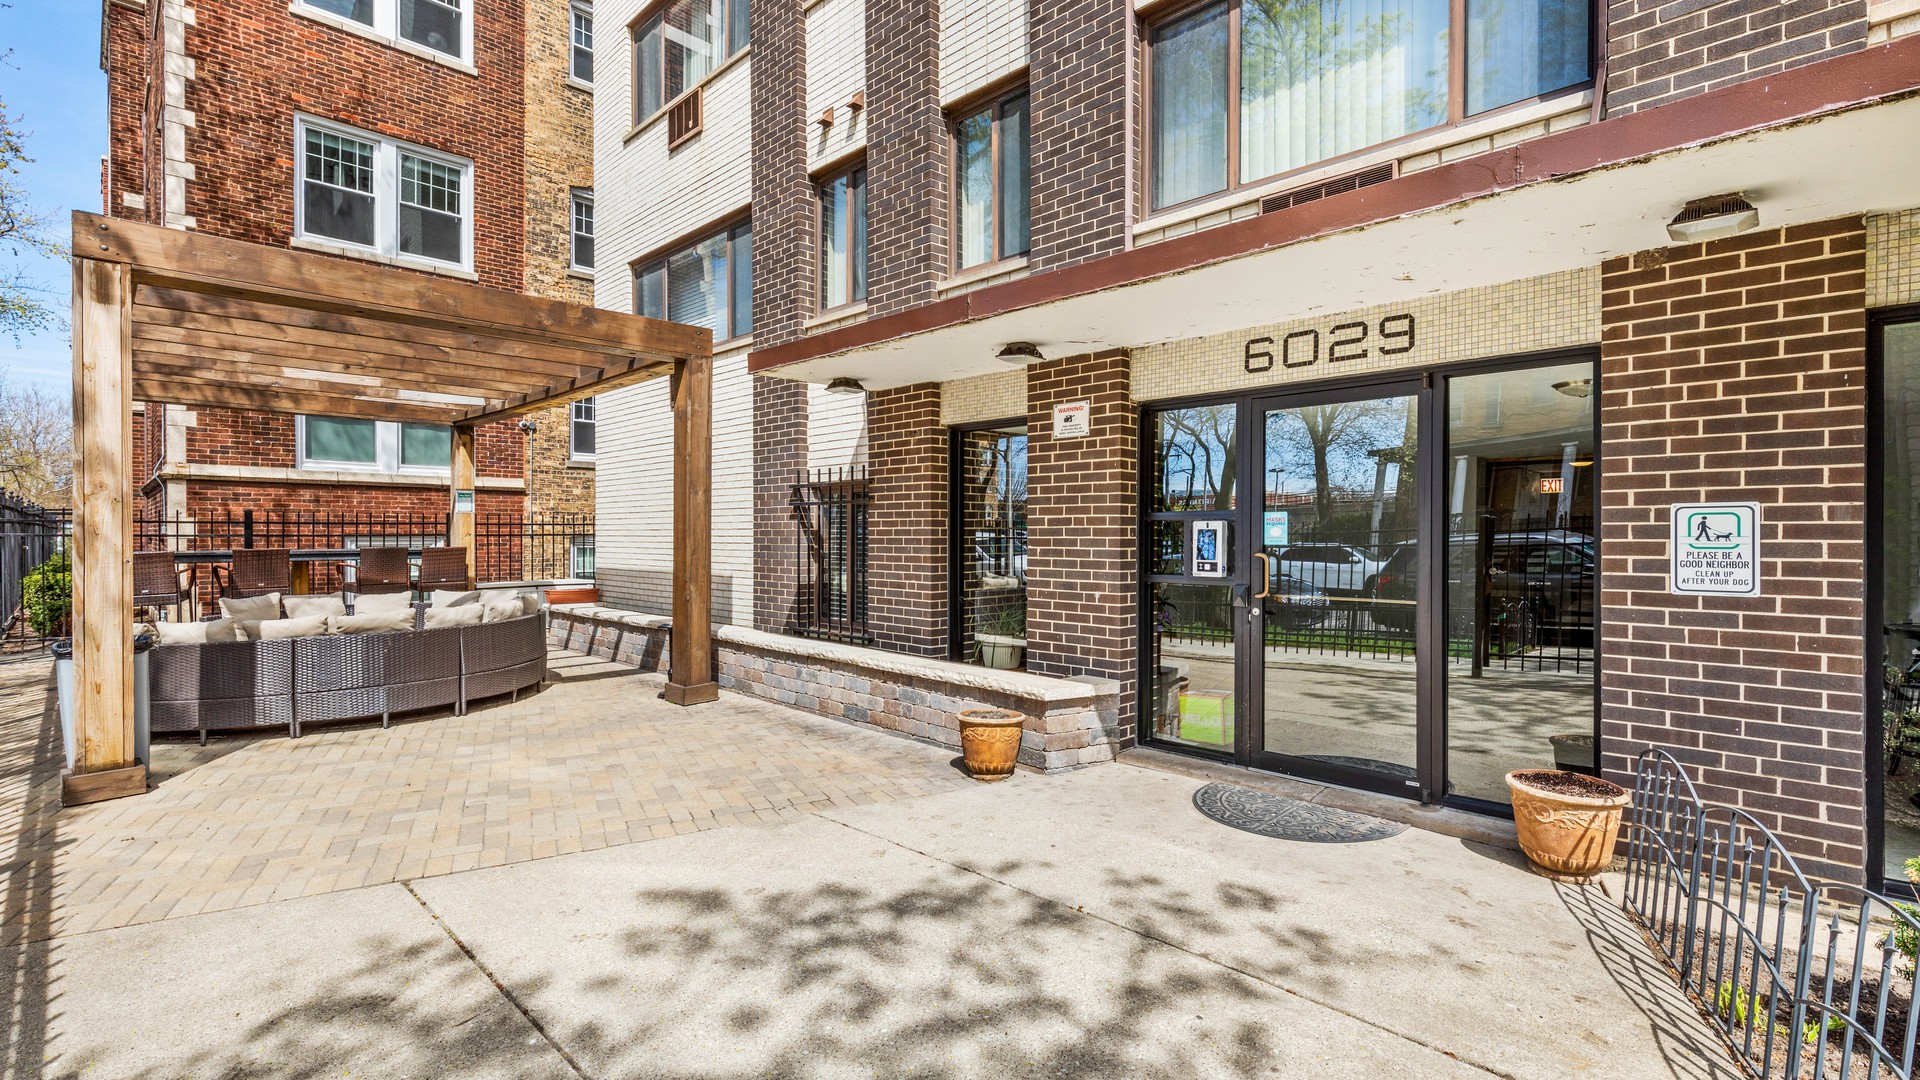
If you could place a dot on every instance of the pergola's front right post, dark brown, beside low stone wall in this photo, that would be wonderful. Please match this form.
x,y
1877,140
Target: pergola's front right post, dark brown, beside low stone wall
x,y
690,672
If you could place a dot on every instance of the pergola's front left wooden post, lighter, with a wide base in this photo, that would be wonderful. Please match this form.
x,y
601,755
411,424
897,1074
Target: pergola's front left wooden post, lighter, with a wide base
x,y
105,764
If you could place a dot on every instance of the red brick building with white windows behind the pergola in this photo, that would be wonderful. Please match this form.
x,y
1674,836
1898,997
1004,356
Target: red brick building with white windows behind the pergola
x,y
448,137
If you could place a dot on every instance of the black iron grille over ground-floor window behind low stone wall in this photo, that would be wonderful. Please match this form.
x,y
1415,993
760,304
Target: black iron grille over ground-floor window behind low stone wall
x,y
830,547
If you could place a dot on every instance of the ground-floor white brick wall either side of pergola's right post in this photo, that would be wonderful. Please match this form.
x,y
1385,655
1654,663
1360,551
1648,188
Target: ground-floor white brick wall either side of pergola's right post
x,y
635,495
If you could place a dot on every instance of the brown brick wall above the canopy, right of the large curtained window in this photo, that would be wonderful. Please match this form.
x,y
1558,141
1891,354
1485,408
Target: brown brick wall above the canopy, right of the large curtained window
x,y
1664,51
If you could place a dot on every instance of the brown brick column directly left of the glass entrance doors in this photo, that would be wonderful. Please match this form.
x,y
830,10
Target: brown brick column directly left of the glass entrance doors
x,y
1082,528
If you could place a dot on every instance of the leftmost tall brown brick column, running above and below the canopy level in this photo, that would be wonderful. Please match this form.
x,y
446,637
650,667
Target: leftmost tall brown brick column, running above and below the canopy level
x,y
782,299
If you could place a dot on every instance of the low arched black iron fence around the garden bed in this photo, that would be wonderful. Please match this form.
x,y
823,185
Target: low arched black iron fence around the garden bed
x,y
1802,979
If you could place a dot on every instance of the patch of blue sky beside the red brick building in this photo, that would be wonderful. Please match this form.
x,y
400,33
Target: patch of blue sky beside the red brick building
x,y
55,86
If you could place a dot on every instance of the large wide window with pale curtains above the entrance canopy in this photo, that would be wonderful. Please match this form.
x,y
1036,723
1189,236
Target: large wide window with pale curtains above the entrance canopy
x,y
1249,91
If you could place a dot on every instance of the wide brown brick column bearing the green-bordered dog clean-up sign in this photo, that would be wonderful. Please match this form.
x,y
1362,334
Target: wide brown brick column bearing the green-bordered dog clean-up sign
x,y
1737,372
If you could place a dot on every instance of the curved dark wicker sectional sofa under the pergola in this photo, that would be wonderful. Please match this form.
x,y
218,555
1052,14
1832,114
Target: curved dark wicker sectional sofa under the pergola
x,y
341,677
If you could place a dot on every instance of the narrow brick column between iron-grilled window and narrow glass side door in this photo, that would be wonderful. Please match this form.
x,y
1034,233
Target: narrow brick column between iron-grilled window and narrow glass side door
x,y
907,520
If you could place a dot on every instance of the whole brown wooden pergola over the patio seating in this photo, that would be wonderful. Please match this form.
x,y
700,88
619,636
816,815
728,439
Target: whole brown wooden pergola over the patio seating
x,y
191,320
